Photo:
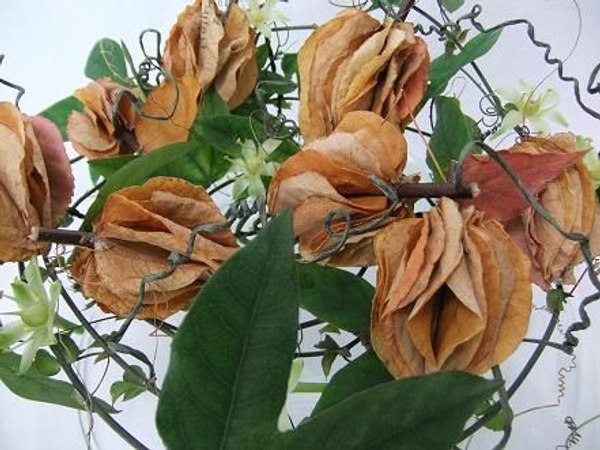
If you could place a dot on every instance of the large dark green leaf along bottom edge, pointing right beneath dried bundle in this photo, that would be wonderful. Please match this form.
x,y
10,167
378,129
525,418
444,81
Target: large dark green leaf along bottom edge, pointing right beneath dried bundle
x,y
425,413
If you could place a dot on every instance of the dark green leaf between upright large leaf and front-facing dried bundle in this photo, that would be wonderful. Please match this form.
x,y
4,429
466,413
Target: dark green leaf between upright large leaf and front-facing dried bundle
x,y
336,296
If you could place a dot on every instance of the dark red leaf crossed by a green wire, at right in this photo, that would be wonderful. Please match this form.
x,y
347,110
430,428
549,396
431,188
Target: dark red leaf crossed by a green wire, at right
x,y
498,197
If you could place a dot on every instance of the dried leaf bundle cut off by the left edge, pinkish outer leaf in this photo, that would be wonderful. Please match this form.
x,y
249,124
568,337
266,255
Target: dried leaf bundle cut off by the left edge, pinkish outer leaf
x,y
36,183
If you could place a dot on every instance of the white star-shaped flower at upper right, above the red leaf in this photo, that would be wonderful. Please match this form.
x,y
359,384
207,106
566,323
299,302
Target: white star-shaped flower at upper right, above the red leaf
x,y
536,110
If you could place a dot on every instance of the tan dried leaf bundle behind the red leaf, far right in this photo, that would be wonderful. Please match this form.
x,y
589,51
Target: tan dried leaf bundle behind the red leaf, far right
x,y
571,200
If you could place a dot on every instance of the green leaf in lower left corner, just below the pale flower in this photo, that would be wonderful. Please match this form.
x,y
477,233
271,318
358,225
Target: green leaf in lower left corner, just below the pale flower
x,y
34,385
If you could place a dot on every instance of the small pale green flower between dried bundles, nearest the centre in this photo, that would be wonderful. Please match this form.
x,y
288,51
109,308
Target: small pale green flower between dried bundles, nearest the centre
x,y
251,166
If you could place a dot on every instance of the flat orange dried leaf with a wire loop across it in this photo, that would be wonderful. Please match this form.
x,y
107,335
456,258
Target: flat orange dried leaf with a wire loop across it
x,y
154,130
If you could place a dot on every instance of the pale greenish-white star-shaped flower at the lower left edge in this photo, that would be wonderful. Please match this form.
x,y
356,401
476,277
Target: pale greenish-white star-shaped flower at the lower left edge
x,y
37,309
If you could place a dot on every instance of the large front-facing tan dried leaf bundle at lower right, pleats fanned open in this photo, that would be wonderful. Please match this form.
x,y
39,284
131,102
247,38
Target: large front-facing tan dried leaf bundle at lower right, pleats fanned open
x,y
453,293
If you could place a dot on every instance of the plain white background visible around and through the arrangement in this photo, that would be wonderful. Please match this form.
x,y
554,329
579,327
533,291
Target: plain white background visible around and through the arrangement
x,y
46,44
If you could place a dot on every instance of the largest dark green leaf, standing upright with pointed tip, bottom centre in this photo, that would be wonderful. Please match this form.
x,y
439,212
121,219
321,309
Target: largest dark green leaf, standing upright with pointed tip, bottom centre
x,y
231,358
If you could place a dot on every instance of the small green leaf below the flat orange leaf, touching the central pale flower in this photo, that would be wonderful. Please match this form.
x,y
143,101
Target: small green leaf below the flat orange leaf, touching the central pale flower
x,y
223,131
